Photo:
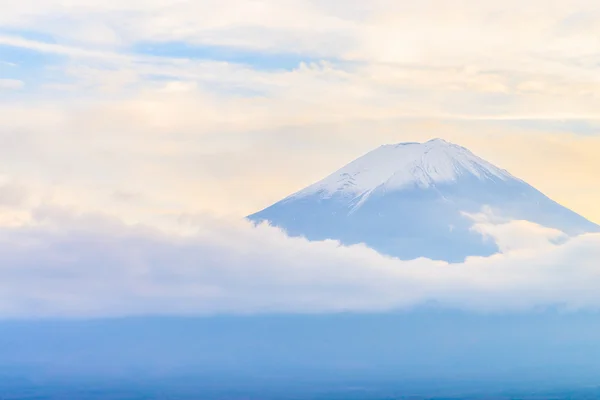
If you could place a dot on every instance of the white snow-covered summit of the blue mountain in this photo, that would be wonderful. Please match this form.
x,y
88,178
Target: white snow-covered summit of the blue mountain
x,y
403,165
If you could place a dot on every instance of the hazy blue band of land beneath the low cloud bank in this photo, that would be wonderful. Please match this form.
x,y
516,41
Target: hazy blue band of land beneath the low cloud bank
x,y
427,354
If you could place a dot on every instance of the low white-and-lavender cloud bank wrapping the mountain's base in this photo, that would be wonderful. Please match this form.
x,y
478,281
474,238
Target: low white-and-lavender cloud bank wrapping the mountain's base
x,y
67,265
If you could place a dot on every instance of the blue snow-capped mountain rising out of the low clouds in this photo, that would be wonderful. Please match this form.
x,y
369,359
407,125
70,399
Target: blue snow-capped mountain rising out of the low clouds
x,y
408,200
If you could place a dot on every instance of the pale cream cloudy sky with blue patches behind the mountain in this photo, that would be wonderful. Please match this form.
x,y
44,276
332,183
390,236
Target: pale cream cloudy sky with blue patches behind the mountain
x,y
150,114
